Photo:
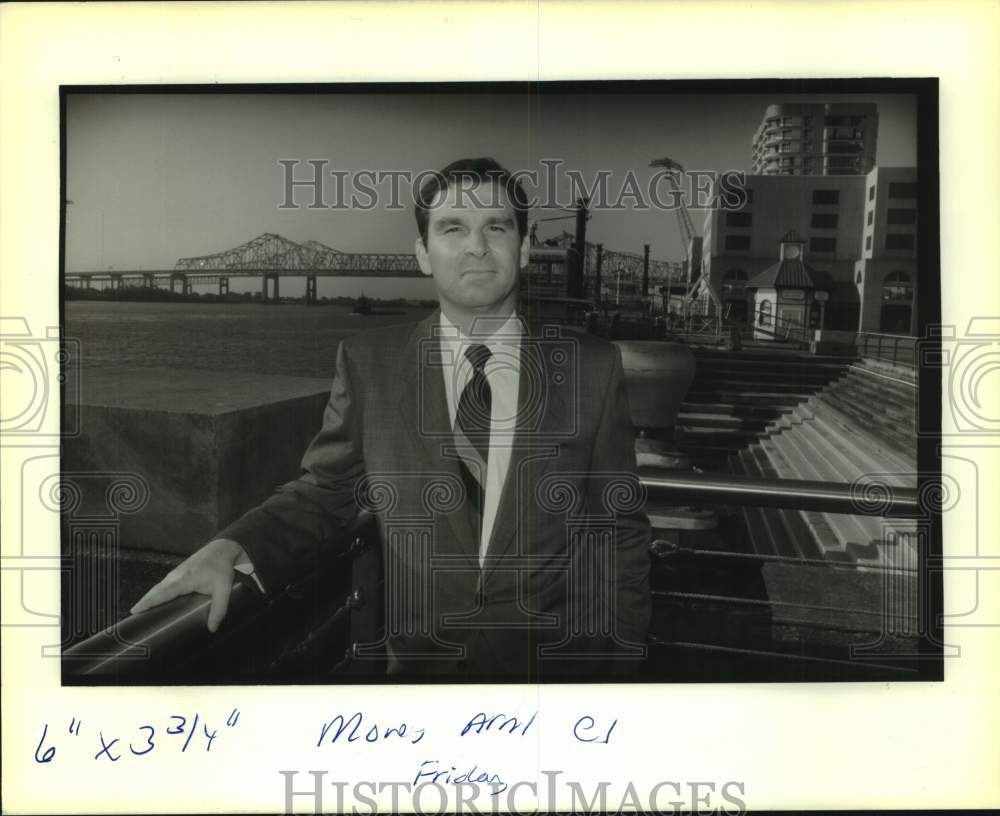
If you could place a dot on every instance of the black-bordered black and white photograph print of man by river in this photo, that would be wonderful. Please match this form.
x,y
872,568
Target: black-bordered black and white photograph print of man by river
x,y
573,382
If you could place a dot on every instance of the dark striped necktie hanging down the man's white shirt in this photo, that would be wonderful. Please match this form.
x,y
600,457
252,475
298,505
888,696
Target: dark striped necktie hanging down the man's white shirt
x,y
472,433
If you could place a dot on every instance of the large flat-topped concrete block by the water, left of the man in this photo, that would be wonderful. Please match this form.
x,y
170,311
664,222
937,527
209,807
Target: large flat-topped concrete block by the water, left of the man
x,y
210,444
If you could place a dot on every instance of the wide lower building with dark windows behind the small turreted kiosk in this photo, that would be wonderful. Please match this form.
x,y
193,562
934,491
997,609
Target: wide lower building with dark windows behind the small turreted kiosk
x,y
858,231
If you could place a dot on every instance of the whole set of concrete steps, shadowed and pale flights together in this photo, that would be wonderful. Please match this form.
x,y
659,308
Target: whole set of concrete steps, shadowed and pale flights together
x,y
791,416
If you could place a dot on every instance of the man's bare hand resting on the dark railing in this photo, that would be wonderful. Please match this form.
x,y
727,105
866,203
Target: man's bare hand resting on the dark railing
x,y
208,571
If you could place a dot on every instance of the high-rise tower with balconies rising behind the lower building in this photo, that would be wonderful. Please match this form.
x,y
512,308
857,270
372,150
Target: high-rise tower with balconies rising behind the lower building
x,y
822,139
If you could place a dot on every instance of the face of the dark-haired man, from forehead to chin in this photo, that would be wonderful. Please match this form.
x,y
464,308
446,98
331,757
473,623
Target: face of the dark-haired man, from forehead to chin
x,y
473,250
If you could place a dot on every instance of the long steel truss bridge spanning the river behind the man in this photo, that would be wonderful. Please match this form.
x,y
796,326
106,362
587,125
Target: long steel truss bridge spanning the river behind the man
x,y
271,257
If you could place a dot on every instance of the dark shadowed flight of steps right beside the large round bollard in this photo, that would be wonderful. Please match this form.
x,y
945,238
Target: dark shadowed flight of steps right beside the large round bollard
x,y
735,395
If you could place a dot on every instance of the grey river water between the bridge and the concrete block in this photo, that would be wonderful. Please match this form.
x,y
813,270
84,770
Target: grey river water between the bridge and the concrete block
x,y
290,339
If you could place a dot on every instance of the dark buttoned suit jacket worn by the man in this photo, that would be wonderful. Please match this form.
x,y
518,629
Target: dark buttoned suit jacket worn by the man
x,y
564,592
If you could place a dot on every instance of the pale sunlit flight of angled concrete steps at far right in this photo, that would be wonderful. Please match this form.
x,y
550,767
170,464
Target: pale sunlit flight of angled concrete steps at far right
x,y
858,430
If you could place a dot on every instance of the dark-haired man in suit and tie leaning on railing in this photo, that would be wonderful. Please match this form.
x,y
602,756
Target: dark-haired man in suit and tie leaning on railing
x,y
498,456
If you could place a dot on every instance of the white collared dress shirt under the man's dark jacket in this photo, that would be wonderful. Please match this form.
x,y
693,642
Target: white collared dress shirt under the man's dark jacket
x,y
503,373
